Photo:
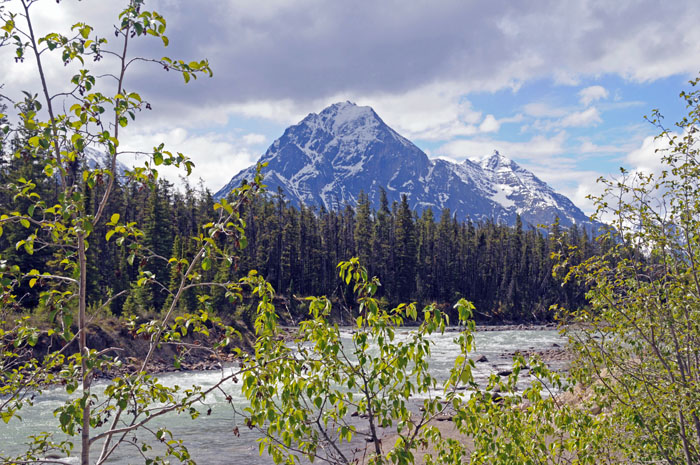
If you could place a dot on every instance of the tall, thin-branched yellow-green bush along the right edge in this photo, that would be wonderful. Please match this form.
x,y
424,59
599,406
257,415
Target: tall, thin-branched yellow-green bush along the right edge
x,y
639,342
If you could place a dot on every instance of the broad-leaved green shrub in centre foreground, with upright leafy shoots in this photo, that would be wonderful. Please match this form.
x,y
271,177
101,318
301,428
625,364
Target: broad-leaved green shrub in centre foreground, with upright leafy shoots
x,y
302,396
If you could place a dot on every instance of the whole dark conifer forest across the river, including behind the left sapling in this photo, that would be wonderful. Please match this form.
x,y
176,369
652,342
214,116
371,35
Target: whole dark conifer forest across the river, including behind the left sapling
x,y
431,256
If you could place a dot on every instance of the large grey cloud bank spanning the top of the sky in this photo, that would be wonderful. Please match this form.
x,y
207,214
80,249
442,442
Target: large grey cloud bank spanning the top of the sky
x,y
308,50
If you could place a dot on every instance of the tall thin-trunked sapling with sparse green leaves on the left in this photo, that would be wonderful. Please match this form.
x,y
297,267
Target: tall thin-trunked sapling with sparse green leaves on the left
x,y
60,209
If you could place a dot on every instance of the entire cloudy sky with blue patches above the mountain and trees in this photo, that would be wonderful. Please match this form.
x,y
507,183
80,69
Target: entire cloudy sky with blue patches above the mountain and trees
x,y
559,86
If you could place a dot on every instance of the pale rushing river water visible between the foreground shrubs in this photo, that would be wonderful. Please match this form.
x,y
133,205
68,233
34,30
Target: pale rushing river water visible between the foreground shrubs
x,y
211,440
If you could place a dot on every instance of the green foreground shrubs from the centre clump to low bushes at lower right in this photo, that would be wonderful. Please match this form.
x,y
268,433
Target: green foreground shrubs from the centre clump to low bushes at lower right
x,y
336,401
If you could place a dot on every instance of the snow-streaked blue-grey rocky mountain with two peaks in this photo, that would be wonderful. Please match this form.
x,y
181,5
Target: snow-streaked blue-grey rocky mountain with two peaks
x,y
329,157
